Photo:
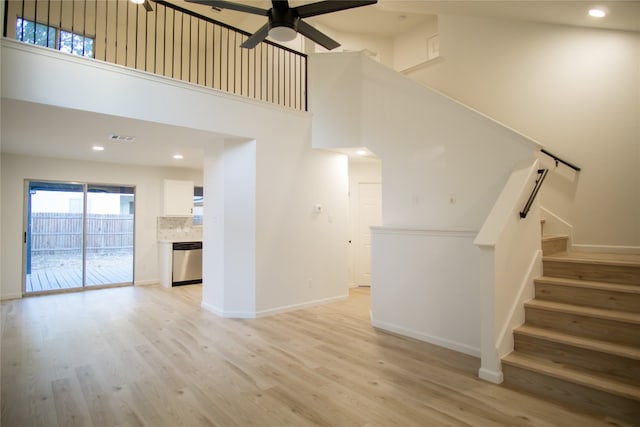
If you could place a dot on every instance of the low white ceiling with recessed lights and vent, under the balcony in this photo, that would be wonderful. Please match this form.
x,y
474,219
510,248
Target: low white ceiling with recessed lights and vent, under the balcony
x,y
71,134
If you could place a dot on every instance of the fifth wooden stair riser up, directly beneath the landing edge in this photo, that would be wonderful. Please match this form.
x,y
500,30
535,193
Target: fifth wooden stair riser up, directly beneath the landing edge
x,y
629,275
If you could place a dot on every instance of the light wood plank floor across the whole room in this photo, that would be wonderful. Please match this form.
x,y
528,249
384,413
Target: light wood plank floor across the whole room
x,y
149,356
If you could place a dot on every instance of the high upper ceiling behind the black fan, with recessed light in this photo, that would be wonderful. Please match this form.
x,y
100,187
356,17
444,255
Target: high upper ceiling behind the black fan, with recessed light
x,y
392,17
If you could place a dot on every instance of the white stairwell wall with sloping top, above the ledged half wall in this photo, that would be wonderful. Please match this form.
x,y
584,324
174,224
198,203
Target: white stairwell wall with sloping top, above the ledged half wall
x,y
431,147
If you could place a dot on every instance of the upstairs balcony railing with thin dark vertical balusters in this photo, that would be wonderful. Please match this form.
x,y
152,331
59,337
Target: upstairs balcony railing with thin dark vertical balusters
x,y
168,40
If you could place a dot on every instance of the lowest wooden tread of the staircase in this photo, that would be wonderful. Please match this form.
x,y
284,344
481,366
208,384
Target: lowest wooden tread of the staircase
x,y
570,374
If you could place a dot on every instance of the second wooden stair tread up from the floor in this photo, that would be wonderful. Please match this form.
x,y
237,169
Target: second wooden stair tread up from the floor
x,y
621,350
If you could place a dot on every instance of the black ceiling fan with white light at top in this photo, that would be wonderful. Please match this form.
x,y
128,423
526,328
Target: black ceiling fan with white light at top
x,y
284,22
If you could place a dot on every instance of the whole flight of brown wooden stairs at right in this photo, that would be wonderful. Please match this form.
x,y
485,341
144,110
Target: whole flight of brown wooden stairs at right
x,y
580,343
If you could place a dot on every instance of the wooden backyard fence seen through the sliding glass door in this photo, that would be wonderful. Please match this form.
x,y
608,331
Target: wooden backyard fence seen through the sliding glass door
x,y
58,233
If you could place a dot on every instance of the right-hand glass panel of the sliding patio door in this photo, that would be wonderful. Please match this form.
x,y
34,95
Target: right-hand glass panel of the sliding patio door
x,y
109,235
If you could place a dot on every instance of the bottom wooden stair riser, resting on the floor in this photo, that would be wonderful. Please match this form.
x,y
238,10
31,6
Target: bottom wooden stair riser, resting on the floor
x,y
577,396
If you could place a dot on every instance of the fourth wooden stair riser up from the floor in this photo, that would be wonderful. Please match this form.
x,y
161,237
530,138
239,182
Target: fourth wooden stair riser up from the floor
x,y
589,297
